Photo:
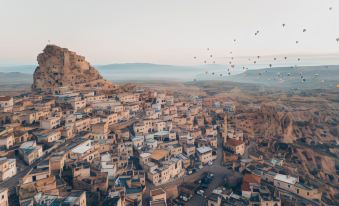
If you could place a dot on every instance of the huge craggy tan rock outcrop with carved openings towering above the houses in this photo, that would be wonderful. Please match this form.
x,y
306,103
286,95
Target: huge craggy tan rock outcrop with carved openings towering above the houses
x,y
60,68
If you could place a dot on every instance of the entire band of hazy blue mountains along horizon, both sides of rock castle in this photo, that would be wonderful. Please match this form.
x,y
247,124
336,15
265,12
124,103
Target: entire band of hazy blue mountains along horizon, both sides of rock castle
x,y
280,77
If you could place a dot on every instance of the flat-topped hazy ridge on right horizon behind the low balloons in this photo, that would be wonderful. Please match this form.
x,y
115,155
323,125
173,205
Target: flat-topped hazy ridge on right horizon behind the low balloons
x,y
308,77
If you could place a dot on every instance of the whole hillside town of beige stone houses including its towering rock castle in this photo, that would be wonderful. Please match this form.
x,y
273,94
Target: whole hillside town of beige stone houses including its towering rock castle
x,y
85,141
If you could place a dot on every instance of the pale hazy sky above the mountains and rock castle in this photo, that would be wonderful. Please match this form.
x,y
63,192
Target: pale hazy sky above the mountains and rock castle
x,y
167,32
